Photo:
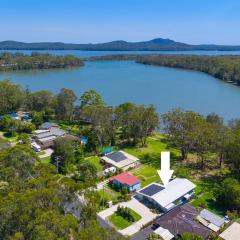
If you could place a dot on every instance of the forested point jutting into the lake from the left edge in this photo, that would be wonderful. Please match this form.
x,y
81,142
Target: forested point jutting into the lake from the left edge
x,y
18,61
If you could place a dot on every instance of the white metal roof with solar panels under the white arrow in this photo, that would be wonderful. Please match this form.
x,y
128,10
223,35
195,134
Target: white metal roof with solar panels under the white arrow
x,y
174,190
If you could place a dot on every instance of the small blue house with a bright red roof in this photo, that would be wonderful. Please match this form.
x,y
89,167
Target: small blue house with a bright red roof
x,y
125,180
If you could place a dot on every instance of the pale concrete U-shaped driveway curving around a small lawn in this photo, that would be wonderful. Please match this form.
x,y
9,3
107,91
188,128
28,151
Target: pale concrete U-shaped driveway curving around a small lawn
x,y
142,210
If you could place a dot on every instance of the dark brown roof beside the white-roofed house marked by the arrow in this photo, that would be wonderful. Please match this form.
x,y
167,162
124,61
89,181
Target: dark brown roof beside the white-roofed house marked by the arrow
x,y
181,220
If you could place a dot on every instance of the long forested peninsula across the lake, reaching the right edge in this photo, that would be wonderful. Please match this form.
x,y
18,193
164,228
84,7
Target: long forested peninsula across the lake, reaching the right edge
x,y
226,68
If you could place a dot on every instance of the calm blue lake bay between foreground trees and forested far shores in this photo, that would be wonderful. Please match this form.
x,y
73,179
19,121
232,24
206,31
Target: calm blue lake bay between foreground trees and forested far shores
x,y
121,81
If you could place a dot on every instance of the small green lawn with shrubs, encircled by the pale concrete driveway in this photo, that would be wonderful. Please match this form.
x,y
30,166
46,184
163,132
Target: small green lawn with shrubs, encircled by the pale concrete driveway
x,y
121,223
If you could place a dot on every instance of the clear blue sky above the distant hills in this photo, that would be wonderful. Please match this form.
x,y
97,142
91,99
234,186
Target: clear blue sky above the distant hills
x,y
85,21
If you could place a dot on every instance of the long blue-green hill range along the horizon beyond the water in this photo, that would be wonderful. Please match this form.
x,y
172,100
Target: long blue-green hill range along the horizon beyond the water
x,y
158,44
